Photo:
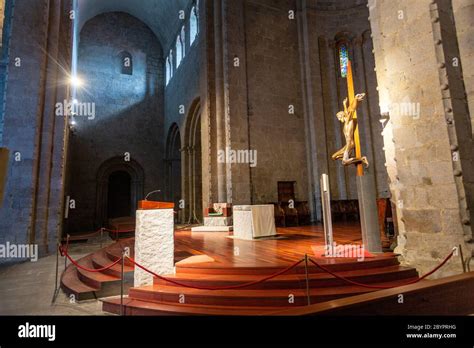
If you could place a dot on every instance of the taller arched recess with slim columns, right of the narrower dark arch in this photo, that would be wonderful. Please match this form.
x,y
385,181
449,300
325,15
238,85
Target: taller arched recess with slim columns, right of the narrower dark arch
x,y
192,165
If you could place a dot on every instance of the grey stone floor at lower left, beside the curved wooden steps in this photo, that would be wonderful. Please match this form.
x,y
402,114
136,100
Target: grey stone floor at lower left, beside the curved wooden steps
x,y
28,288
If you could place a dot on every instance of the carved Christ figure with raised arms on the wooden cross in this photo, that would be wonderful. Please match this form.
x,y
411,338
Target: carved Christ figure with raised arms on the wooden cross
x,y
350,124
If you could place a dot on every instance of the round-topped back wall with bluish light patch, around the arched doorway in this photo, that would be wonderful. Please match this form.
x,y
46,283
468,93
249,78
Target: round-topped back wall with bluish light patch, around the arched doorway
x,y
129,114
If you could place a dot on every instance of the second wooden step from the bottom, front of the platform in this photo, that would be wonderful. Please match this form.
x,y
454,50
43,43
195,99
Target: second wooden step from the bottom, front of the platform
x,y
261,298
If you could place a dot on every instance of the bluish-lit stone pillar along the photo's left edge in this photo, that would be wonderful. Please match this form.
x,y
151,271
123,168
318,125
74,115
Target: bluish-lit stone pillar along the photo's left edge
x,y
32,210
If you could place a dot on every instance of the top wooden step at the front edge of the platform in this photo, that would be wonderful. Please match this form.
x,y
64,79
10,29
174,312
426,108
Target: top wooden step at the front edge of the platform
x,y
365,276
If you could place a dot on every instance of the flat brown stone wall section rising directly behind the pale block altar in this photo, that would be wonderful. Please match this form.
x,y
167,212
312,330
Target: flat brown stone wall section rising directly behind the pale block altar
x,y
274,86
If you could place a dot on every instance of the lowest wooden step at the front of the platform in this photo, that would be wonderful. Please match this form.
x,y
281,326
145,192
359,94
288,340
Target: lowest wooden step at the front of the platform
x,y
136,307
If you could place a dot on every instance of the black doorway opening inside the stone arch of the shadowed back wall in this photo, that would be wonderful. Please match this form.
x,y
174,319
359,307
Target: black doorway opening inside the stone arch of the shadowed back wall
x,y
119,196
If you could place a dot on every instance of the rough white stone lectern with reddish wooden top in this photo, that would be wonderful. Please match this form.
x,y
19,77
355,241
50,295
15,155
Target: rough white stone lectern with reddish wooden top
x,y
154,240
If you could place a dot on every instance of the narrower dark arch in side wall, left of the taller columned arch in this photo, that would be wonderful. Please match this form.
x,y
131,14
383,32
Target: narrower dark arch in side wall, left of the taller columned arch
x,y
173,169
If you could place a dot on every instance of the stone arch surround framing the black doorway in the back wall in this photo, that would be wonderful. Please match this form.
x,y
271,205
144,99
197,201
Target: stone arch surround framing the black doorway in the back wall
x,y
106,170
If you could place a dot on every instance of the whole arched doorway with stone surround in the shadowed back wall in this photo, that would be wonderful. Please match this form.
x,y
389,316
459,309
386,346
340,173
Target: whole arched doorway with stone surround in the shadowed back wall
x,y
119,188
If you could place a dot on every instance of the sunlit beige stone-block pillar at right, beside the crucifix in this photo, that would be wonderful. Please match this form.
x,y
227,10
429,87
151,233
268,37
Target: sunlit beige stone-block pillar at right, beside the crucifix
x,y
421,136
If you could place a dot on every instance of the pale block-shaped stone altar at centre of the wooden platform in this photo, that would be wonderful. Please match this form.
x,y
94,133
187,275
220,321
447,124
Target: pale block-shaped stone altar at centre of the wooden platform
x,y
254,221
